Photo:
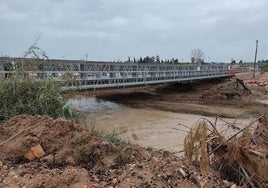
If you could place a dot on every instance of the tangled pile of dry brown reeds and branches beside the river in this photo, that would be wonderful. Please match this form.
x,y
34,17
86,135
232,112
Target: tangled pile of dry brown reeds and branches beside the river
x,y
239,155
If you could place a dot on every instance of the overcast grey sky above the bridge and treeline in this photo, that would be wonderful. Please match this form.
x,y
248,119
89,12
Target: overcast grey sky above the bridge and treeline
x,y
116,29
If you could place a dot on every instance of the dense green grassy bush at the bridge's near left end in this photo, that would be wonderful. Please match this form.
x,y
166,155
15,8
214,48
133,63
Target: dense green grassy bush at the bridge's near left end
x,y
29,97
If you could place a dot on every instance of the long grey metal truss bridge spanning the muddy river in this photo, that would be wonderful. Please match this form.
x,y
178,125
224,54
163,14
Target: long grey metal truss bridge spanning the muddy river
x,y
91,75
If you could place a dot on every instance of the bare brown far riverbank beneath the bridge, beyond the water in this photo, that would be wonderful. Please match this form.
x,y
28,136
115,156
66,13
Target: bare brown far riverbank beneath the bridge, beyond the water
x,y
220,97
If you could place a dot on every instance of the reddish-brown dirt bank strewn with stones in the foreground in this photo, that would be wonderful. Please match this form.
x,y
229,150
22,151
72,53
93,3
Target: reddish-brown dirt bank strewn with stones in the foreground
x,y
74,157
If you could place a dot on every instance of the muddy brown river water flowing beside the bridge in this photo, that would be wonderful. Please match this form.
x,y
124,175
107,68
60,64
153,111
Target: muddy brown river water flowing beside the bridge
x,y
149,128
